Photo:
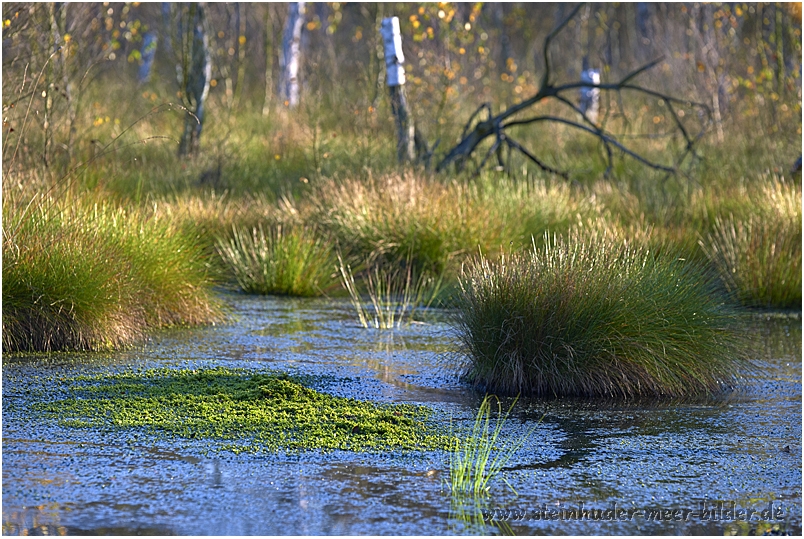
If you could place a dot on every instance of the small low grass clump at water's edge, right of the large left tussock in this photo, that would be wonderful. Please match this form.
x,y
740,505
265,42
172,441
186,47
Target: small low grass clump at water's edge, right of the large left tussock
x,y
288,261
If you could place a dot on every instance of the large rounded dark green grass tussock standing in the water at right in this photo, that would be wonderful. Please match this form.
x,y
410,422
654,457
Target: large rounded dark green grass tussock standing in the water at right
x,y
596,317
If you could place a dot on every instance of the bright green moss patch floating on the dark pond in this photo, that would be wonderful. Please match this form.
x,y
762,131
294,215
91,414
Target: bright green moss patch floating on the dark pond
x,y
245,410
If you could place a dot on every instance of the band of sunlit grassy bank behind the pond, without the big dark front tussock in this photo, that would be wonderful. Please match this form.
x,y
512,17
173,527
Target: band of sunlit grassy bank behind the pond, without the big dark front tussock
x,y
90,271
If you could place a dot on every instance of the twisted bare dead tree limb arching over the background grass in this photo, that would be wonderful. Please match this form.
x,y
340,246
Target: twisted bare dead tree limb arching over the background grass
x,y
477,130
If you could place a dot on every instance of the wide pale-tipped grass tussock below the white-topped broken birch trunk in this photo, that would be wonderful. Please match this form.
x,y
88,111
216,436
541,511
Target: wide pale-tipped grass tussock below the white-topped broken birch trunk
x,y
434,224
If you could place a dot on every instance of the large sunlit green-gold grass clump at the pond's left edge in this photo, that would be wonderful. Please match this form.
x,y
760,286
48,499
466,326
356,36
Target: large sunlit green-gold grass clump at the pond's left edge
x,y
78,276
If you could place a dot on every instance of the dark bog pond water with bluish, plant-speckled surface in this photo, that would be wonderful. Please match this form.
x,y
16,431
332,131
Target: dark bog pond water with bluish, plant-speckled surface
x,y
728,465
